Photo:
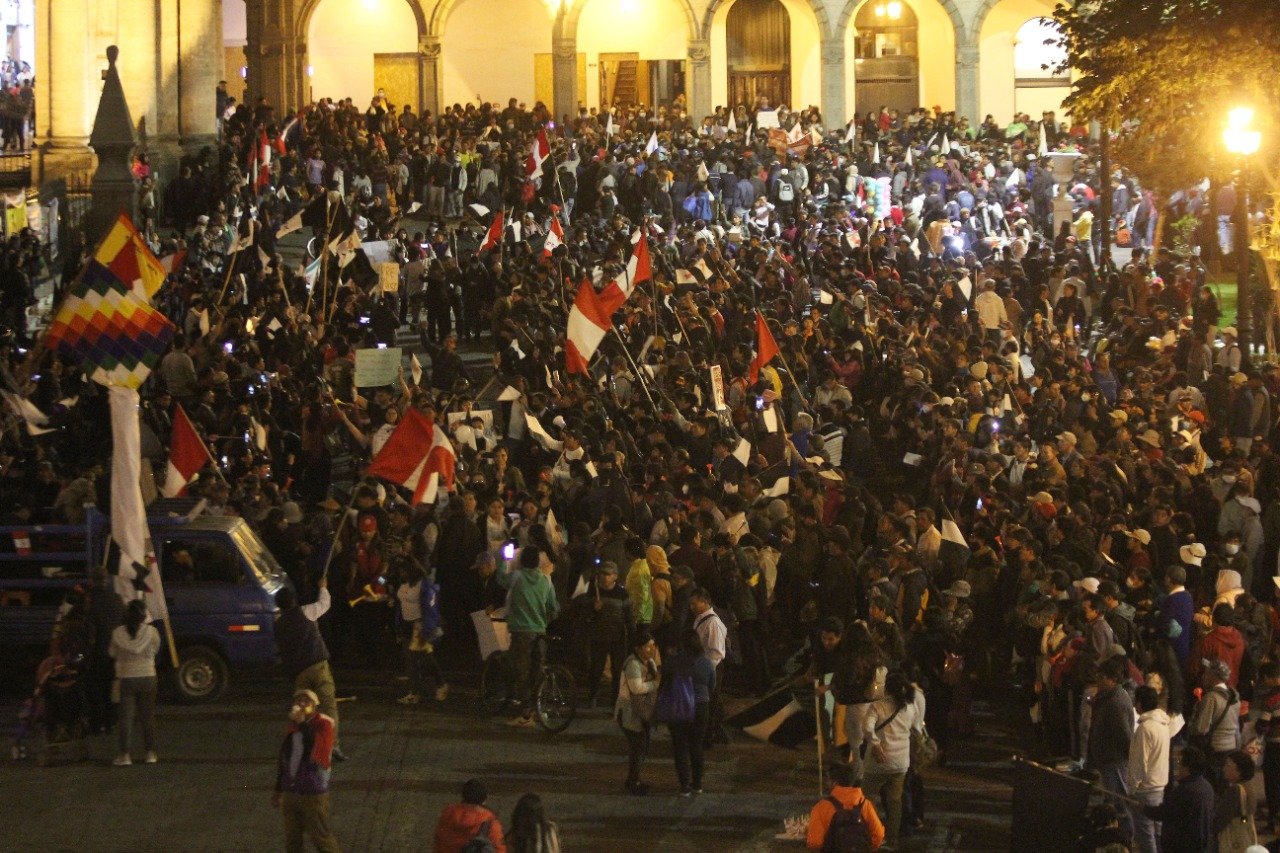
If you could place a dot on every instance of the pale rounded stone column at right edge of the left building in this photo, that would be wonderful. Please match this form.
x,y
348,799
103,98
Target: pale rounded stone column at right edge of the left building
x,y
200,42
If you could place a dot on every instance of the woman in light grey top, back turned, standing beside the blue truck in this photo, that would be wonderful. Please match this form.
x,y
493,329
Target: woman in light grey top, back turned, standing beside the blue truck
x,y
134,647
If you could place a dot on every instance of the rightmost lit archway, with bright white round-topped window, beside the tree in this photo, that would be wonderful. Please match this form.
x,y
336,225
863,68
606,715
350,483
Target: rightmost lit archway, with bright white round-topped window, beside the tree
x,y
1012,76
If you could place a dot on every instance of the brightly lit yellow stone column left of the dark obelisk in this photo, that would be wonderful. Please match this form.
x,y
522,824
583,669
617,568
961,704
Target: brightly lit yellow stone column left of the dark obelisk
x,y
65,81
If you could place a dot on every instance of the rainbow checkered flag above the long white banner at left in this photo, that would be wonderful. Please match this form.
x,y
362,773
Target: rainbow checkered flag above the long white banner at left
x,y
107,321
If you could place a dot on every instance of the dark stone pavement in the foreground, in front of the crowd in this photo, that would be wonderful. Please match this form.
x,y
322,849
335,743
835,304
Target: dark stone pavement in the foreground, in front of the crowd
x,y
213,787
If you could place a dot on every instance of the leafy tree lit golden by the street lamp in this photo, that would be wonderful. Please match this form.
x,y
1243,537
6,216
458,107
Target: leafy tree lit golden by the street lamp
x,y
1162,75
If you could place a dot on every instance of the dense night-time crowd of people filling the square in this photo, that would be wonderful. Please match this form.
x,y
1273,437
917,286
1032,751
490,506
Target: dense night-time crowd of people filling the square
x,y
981,451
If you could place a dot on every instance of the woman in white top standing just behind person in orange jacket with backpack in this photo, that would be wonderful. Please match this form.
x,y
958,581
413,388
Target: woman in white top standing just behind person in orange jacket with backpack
x,y
888,738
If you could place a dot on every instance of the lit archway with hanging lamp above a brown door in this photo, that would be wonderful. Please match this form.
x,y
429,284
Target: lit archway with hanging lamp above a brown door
x,y
900,54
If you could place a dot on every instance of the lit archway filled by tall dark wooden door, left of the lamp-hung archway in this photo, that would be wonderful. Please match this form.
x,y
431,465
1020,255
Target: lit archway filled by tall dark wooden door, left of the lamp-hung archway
x,y
803,56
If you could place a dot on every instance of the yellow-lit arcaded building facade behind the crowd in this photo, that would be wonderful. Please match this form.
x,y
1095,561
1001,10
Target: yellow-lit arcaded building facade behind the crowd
x,y
848,57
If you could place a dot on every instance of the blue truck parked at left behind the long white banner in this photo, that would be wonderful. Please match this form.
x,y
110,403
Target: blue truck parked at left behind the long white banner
x,y
220,585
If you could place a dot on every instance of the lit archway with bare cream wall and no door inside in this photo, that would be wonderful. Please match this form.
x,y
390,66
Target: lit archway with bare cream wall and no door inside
x,y
495,57
